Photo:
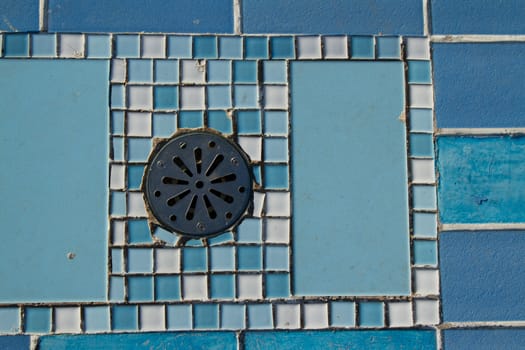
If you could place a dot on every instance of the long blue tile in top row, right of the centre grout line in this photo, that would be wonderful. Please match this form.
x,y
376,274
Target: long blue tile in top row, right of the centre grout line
x,y
337,16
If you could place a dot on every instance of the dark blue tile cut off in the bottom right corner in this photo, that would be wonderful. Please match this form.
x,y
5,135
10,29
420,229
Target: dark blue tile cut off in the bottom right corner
x,y
484,339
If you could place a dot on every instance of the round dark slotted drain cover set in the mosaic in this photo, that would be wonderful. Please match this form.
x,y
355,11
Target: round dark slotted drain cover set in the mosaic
x,y
198,184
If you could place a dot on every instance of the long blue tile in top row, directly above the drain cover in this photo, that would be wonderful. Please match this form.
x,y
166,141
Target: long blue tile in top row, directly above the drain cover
x,y
181,16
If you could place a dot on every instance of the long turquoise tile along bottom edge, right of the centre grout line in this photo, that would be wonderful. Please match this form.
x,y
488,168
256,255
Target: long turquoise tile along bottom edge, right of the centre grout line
x,y
351,340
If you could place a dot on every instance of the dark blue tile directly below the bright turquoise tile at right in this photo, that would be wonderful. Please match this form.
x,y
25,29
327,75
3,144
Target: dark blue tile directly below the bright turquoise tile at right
x,y
482,275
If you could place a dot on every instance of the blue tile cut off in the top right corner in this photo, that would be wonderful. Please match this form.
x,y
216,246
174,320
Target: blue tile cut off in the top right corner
x,y
478,17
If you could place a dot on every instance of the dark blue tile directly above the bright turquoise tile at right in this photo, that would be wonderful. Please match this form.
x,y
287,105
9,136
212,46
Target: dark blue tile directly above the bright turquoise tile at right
x,y
479,85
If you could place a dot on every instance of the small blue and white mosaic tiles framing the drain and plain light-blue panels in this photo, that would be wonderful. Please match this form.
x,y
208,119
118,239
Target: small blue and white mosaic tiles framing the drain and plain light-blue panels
x,y
260,311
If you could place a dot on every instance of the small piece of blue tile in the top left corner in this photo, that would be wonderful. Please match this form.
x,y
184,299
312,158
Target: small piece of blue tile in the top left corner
x,y
19,15
